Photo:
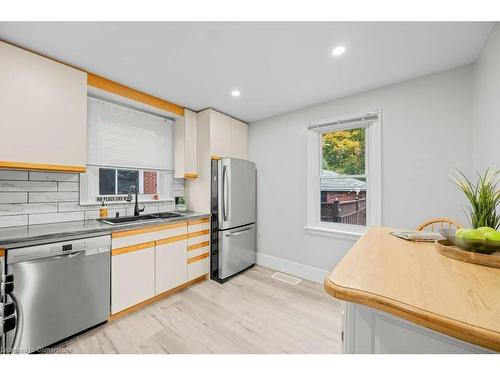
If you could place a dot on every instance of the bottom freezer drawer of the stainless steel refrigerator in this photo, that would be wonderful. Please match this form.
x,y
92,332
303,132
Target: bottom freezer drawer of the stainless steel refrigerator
x,y
237,250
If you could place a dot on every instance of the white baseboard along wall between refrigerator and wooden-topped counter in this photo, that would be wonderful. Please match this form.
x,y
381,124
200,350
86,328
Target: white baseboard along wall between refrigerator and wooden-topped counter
x,y
296,269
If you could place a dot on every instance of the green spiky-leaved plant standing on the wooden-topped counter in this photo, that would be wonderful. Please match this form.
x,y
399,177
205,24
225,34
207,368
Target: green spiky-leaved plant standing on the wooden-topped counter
x,y
483,197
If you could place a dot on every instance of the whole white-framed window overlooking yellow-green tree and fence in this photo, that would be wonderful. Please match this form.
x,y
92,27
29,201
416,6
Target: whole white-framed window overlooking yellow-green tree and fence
x,y
344,174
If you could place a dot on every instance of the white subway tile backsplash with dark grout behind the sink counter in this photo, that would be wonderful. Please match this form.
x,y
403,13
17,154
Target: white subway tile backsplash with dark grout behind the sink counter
x,y
48,197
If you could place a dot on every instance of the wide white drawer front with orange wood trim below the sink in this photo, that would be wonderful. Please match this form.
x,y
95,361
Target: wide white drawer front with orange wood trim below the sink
x,y
147,234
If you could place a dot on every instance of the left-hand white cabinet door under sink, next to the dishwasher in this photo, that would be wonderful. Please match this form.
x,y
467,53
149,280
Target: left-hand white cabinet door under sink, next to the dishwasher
x,y
132,278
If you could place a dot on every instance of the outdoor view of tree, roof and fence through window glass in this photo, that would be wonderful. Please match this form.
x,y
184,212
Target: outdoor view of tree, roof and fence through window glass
x,y
343,179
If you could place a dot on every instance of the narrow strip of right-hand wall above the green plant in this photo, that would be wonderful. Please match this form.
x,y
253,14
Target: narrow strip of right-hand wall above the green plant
x,y
487,104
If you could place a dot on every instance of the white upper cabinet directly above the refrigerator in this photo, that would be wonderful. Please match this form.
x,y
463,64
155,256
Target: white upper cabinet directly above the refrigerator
x,y
228,136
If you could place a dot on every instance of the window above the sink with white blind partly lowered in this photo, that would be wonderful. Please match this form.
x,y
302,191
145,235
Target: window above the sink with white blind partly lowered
x,y
126,147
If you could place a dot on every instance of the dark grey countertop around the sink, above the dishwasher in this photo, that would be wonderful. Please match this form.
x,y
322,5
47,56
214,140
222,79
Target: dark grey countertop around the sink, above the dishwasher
x,y
29,235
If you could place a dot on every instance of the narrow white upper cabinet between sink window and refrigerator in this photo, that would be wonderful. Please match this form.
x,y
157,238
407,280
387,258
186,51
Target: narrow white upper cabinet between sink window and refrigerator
x,y
186,145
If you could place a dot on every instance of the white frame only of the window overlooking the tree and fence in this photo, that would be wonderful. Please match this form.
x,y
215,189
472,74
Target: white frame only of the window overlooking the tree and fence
x,y
373,173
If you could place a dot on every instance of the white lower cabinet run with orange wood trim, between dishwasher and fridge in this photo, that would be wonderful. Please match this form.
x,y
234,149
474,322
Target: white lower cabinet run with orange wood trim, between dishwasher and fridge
x,y
152,260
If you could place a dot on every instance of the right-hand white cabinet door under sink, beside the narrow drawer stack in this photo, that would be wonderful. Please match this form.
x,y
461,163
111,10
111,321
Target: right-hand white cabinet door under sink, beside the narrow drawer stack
x,y
171,265
